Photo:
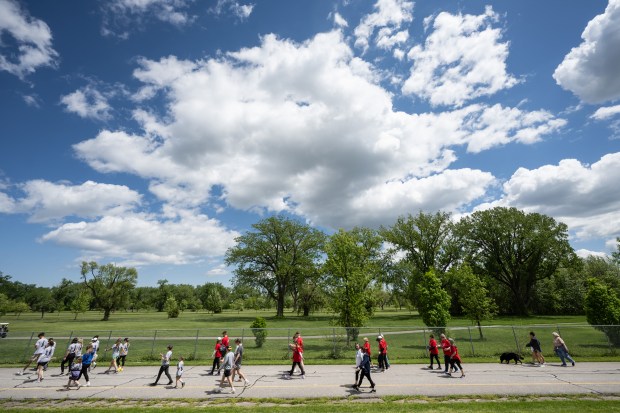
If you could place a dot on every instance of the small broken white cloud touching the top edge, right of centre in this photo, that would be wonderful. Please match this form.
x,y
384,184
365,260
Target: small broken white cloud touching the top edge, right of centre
x,y
388,19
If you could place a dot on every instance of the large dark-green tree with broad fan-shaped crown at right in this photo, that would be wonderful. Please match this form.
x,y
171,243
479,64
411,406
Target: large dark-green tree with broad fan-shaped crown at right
x,y
515,249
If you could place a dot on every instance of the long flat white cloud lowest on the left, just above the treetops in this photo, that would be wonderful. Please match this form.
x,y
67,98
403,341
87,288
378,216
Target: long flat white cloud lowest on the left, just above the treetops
x,y
146,239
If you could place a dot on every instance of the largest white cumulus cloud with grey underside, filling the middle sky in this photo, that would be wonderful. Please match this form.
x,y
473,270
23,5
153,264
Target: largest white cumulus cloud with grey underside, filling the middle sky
x,y
304,128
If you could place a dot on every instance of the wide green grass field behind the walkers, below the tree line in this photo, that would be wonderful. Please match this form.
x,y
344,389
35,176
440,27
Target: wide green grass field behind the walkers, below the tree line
x,y
193,335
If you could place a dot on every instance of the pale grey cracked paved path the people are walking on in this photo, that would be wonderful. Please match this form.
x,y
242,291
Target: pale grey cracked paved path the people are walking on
x,y
326,381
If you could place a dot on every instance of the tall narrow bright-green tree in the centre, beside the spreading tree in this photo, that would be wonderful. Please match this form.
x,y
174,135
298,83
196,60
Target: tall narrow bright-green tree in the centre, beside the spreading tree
x,y
353,262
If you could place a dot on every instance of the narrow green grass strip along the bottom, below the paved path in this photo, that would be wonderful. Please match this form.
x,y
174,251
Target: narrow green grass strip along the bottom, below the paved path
x,y
465,404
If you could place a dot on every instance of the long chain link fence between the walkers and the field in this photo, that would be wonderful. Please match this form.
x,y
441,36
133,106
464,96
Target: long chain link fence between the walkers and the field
x,y
404,343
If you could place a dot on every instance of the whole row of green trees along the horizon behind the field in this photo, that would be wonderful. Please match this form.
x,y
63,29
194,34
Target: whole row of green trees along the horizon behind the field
x,y
497,261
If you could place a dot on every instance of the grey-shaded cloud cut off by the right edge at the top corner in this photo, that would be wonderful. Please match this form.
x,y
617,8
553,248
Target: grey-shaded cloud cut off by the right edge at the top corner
x,y
590,70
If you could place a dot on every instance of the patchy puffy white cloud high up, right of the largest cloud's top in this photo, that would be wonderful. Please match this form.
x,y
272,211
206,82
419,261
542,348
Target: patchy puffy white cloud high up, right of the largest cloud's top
x,y
462,59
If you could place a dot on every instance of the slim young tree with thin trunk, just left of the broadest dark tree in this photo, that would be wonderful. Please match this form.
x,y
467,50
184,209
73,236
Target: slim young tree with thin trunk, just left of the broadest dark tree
x,y
476,304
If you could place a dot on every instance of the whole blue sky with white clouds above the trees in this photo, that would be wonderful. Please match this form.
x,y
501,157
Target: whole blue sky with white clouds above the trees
x,y
152,133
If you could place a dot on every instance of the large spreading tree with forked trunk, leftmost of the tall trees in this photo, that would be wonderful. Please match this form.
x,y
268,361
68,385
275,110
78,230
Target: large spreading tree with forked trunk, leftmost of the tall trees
x,y
273,255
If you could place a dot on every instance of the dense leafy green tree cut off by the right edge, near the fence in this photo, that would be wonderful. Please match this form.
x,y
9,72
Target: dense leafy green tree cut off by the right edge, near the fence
x,y
602,307
